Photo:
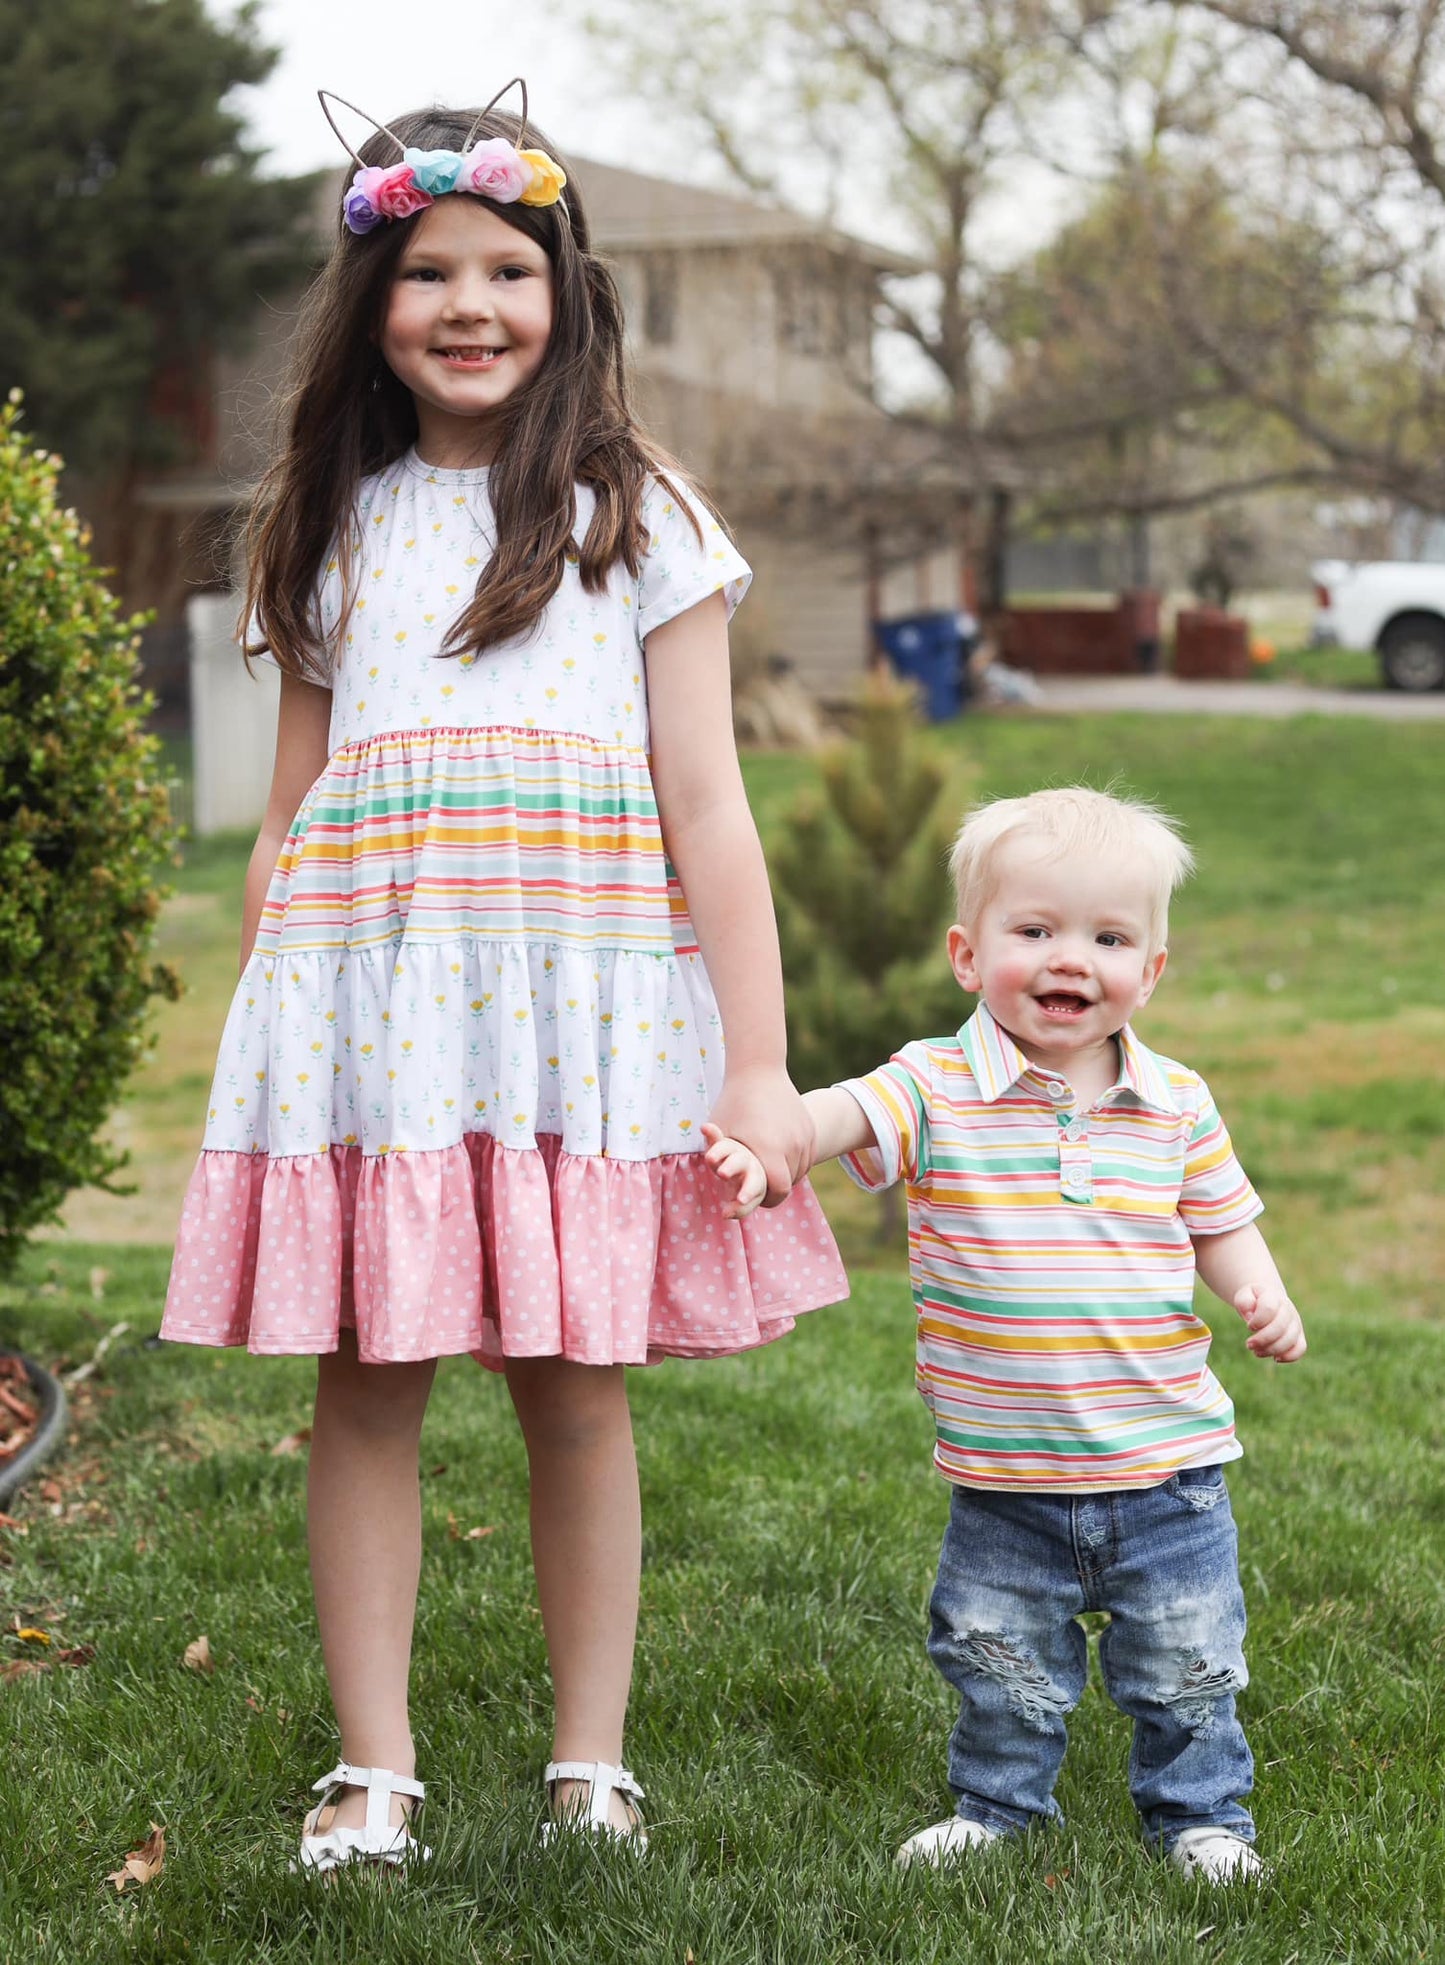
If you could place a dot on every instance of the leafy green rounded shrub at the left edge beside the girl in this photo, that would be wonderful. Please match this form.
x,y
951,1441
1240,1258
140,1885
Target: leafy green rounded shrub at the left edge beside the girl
x,y
84,838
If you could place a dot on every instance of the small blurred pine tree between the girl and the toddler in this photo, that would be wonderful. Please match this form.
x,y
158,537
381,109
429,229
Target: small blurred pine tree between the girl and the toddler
x,y
862,887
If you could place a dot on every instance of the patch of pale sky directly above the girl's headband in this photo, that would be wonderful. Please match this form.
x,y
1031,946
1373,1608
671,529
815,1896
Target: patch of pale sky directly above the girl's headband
x,y
392,56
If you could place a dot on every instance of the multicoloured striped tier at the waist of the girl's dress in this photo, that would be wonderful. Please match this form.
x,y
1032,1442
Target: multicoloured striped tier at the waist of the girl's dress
x,y
447,834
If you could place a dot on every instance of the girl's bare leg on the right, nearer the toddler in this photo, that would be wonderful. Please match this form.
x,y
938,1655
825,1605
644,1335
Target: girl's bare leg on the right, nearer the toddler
x,y
587,1547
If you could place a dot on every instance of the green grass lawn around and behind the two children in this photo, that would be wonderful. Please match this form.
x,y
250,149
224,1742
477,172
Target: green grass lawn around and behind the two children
x,y
787,1722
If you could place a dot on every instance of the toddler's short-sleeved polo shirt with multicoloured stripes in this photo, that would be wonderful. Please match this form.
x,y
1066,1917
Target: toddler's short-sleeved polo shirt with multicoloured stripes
x,y
1051,1259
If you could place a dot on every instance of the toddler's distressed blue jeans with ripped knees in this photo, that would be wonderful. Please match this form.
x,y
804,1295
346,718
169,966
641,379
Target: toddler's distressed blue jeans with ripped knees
x,y
1015,1575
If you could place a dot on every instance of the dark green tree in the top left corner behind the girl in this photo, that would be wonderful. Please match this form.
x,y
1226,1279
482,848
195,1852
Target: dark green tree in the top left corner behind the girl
x,y
137,229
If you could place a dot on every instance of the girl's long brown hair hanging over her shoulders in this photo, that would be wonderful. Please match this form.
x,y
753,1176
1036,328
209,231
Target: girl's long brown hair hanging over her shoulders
x,y
347,418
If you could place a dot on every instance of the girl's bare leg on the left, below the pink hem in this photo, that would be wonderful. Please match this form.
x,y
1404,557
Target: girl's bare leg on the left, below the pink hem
x,y
365,1528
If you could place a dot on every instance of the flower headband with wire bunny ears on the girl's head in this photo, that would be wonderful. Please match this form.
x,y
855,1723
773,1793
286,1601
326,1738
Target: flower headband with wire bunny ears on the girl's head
x,y
492,170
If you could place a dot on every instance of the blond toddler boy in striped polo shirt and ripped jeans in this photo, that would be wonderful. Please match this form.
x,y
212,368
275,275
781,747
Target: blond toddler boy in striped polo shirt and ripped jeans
x,y
1065,1186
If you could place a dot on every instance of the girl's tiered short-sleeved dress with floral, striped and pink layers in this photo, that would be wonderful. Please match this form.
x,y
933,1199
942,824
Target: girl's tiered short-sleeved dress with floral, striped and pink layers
x,y
465,1074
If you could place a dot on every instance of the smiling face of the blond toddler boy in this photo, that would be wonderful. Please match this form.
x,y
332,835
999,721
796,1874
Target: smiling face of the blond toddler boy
x,y
1061,952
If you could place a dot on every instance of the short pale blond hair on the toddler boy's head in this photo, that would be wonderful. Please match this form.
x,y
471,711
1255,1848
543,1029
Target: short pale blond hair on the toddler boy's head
x,y
1070,820
